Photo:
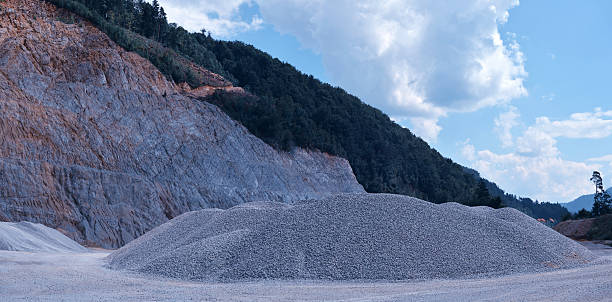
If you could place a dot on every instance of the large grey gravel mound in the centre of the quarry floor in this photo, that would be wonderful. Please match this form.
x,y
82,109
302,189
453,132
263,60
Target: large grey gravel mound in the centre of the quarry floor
x,y
355,236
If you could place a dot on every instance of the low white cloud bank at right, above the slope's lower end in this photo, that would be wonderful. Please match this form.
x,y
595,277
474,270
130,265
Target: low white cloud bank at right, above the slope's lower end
x,y
535,166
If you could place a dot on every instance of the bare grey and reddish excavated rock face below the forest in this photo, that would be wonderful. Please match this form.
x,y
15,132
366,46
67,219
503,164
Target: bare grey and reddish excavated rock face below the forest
x,y
98,144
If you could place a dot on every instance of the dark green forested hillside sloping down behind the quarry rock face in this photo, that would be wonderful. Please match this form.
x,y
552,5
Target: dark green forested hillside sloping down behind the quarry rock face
x,y
287,108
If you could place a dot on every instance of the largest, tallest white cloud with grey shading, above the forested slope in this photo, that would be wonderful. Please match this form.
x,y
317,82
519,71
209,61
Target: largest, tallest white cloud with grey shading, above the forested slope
x,y
416,60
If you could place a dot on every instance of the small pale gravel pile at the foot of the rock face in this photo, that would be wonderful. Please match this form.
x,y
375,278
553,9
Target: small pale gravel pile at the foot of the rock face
x,y
34,237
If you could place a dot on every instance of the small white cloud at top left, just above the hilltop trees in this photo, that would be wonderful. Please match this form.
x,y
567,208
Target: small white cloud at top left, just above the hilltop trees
x,y
219,17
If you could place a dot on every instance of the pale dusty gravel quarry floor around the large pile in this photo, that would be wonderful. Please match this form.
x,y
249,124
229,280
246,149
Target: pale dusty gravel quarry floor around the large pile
x,y
82,277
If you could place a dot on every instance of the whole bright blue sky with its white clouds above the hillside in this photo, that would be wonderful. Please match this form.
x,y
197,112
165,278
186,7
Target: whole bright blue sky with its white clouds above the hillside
x,y
518,91
